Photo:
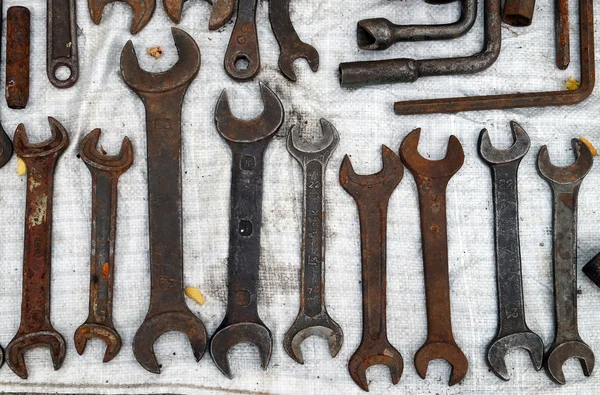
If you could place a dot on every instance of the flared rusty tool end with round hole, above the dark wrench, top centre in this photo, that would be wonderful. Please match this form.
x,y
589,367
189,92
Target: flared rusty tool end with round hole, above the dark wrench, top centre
x,y
242,58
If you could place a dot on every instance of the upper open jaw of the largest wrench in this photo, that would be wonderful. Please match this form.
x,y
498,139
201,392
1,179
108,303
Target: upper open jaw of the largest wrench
x,y
181,74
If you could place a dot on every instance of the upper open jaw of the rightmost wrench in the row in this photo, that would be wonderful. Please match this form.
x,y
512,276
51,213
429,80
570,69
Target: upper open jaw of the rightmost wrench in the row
x,y
568,174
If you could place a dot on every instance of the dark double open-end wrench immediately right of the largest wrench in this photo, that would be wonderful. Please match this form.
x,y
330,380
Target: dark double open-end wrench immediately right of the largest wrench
x,y
247,141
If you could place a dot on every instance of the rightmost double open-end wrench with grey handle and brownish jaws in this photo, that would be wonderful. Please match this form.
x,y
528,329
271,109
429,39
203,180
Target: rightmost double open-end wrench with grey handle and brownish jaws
x,y
565,183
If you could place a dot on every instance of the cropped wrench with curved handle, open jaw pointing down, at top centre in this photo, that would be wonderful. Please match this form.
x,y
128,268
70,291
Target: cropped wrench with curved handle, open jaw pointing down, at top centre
x,y
290,45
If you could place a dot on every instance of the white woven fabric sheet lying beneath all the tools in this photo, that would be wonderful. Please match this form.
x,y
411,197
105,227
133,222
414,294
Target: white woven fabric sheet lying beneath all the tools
x,y
365,120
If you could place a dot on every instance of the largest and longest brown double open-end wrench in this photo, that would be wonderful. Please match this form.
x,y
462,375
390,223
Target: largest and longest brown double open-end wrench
x,y
162,95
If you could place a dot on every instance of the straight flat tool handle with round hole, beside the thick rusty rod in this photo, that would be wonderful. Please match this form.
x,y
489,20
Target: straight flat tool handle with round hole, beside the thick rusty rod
x,y
61,42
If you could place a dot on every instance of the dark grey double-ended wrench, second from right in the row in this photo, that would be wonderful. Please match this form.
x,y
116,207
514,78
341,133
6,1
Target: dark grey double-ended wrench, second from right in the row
x,y
513,331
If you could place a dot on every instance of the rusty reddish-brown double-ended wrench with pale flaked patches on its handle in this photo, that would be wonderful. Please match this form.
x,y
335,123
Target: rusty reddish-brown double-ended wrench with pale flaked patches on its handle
x,y
35,329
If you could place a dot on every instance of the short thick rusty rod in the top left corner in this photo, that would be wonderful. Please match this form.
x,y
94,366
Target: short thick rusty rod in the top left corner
x,y
17,56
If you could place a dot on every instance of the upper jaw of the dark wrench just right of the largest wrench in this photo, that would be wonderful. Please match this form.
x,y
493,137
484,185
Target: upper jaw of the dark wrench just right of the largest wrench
x,y
248,131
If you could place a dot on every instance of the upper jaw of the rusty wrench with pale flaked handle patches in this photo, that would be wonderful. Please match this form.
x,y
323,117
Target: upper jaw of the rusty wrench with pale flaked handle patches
x,y
57,143
